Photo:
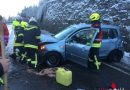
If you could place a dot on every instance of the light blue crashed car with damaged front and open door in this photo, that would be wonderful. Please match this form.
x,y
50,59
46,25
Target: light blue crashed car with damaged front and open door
x,y
74,43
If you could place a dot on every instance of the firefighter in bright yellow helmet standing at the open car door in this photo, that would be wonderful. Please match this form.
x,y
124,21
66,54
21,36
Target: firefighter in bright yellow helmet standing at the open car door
x,y
94,61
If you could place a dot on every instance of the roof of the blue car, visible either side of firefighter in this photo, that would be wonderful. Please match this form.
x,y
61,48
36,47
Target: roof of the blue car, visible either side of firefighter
x,y
84,25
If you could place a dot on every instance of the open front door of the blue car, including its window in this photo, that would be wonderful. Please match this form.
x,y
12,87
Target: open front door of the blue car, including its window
x,y
79,44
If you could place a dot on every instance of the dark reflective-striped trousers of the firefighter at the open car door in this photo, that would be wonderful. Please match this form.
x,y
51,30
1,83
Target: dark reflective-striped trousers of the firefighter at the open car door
x,y
94,61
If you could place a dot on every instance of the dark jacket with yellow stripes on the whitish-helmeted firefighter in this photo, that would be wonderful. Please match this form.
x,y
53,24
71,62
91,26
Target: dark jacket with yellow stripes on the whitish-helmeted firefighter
x,y
31,37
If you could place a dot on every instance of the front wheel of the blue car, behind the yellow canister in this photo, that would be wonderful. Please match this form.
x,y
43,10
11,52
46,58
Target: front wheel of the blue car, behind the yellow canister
x,y
53,59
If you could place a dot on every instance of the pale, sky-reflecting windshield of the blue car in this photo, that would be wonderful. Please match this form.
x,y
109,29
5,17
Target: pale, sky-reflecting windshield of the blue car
x,y
61,35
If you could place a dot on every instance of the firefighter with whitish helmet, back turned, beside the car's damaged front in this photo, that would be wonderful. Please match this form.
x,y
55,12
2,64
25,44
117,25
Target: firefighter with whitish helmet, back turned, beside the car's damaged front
x,y
31,40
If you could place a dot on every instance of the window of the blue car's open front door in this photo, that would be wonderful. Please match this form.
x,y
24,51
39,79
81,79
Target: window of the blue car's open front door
x,y
83,37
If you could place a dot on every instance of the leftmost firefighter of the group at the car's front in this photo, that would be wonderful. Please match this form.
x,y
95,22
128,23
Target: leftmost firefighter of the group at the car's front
x,y
18,42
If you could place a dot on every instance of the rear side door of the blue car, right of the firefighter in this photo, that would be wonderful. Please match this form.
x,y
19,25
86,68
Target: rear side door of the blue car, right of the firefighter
x,y
108,42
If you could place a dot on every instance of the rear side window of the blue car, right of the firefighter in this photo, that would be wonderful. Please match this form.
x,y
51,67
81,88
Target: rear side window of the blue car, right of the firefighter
x,y
109,33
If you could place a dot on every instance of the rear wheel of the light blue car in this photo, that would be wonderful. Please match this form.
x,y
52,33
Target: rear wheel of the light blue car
x,y
115,56
